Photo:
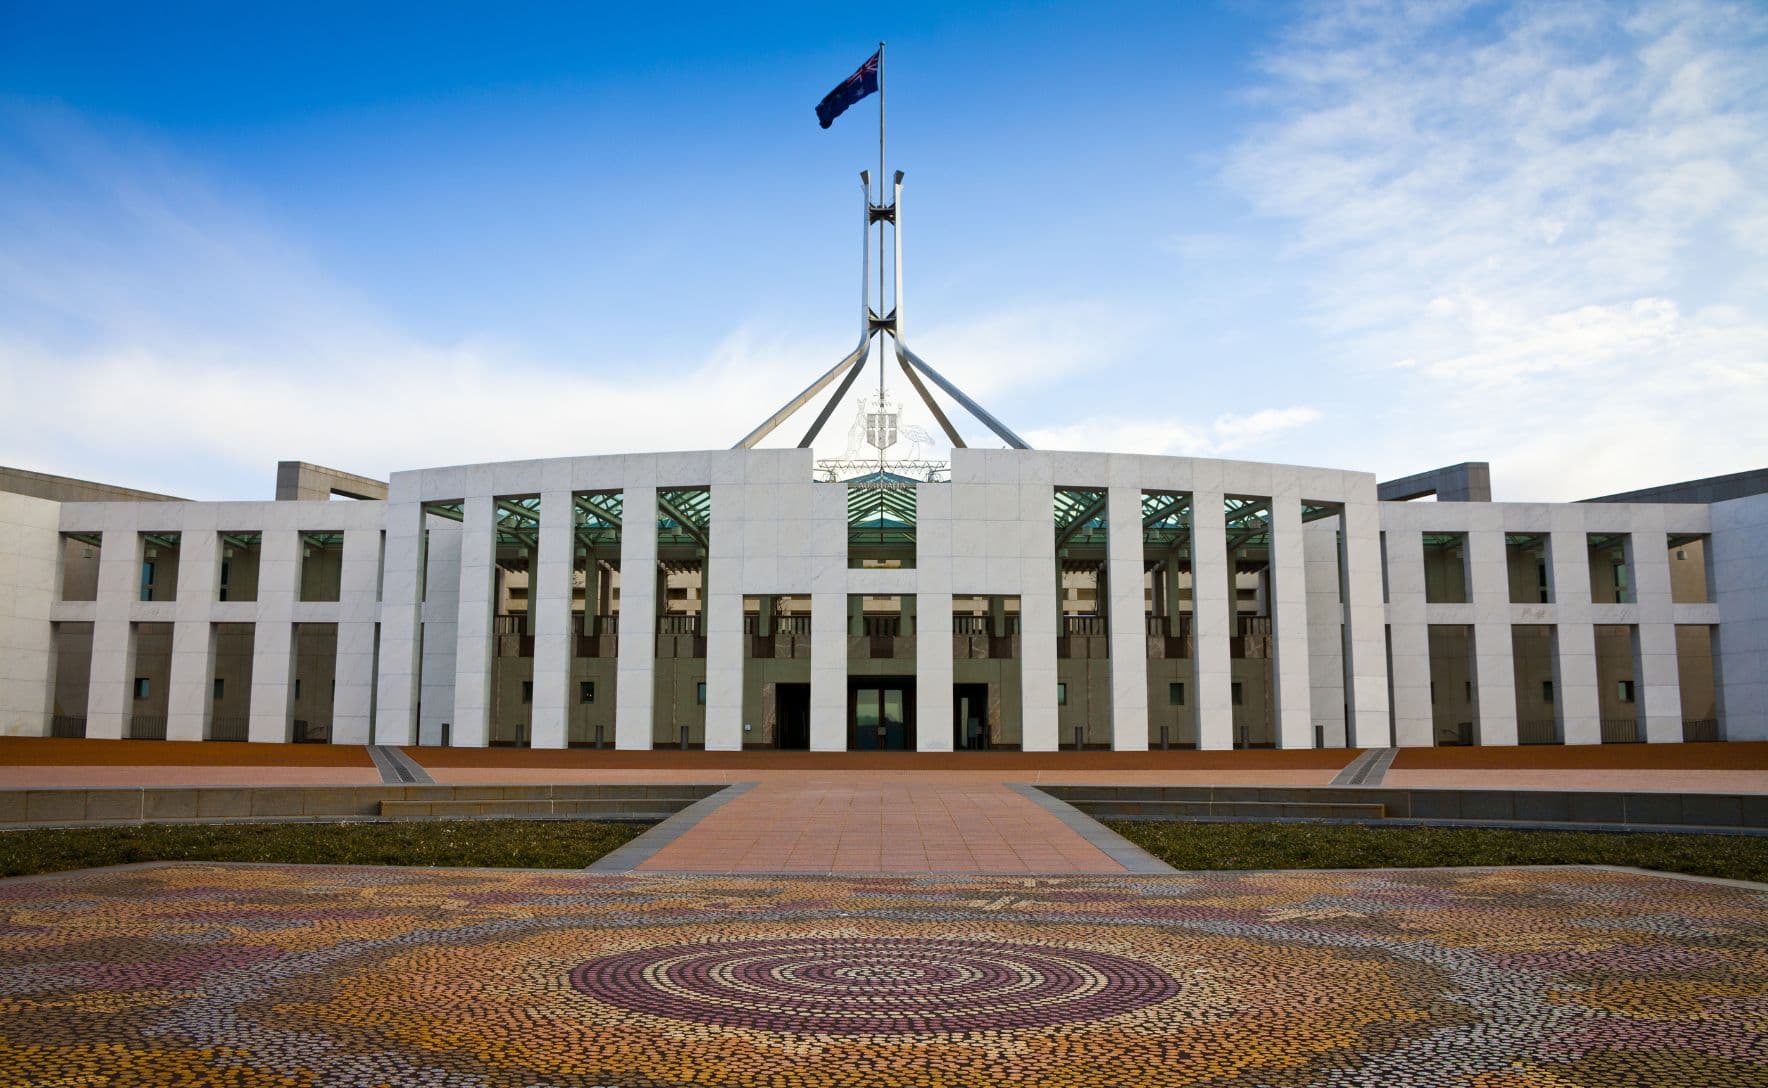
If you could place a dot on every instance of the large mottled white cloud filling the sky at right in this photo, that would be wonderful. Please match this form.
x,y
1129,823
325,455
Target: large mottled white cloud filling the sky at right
x,y
1550,220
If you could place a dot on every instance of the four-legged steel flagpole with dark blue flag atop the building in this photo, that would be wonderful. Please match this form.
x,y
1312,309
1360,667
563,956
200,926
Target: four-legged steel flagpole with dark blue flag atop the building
x,y
871,323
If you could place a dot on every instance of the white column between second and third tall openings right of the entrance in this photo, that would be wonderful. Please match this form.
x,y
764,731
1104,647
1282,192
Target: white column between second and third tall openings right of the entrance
x,y
1212,622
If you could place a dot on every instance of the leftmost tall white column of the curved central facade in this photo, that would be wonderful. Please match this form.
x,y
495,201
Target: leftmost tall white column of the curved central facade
x,y
400,624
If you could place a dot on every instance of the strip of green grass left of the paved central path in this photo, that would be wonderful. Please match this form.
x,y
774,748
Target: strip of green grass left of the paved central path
x,y
491,843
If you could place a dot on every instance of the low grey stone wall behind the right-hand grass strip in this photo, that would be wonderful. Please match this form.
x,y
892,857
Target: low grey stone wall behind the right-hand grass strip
x,y
1452,806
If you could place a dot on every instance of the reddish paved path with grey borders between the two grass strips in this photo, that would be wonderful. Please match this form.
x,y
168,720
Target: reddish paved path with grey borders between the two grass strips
x,y
881,824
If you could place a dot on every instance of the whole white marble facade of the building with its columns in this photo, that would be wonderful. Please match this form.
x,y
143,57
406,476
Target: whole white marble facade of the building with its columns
x,y
1350,613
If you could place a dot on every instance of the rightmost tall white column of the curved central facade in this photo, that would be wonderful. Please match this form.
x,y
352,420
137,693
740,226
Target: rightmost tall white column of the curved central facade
x,y
1368,622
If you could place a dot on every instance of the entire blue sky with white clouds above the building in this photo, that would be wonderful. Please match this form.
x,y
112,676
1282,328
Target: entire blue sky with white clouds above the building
x,y
1366,236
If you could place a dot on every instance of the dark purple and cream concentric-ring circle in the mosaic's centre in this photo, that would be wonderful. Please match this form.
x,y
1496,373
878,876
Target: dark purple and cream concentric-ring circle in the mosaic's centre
x,y
874,986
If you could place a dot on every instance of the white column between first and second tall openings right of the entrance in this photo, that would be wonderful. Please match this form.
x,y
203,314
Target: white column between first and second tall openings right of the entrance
x,y
1125,625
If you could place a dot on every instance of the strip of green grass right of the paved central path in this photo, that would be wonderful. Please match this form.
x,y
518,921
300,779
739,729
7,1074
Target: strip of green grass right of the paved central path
x,y
1353,847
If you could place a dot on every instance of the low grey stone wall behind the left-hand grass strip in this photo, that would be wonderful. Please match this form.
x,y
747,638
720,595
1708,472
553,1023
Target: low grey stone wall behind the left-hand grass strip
x,y
171,804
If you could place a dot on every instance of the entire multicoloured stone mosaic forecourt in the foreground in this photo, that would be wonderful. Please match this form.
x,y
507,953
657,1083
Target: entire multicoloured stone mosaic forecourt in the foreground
x,y
388,977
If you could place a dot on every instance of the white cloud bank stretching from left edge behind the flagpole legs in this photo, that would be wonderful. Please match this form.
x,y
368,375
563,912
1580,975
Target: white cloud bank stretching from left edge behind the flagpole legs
x,y
160,332
